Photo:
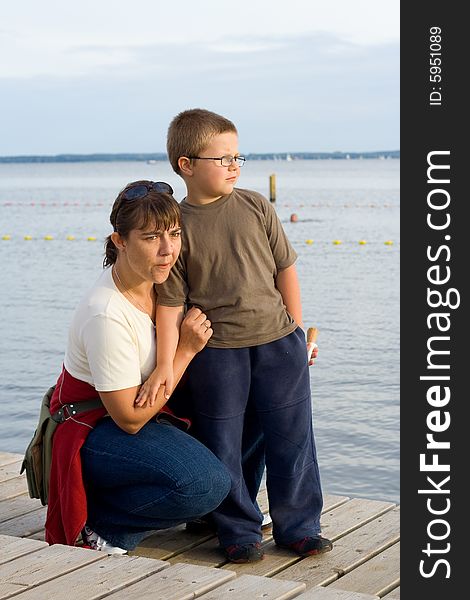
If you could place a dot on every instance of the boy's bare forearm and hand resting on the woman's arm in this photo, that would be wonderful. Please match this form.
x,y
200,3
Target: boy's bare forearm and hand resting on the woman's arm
x,y
168,321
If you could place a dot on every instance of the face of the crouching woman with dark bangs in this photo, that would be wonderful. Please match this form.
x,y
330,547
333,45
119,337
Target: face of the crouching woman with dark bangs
x,y
151,252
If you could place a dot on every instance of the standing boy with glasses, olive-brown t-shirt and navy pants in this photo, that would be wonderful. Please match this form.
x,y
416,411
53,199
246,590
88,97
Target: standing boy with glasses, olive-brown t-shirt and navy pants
x,y
238,266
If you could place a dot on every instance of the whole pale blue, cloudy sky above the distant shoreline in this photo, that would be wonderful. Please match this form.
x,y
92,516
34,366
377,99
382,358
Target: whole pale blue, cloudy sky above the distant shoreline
x,y
109,75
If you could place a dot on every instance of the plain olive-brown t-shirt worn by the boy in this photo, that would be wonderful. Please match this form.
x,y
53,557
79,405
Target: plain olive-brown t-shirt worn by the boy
x,y
232,250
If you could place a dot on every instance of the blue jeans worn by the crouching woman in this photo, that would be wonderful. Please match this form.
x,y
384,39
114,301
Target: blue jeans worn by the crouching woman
x,y
155,479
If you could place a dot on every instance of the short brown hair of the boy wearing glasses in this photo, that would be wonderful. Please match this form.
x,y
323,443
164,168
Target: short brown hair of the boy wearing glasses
x,y
190,133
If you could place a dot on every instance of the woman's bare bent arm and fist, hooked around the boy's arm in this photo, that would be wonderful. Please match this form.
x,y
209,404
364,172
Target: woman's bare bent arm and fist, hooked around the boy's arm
x,y
120,404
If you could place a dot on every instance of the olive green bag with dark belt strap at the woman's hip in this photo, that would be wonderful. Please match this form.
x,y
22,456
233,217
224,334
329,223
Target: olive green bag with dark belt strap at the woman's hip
x,y
38,454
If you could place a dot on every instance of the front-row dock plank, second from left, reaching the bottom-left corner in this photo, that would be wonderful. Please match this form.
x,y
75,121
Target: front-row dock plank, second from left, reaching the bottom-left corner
x,y
43,565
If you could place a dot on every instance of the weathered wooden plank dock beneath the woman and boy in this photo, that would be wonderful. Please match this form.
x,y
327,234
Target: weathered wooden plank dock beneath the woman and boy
x,y
176,565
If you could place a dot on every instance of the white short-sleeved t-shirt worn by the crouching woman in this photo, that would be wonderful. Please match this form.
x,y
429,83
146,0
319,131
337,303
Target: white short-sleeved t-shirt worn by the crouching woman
x,y
111,343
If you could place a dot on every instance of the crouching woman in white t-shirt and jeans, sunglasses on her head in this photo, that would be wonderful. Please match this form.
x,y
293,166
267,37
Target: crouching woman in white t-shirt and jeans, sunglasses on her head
x,y
118,472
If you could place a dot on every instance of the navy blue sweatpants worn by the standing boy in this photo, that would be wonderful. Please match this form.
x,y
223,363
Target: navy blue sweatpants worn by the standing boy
x,y
273,380
